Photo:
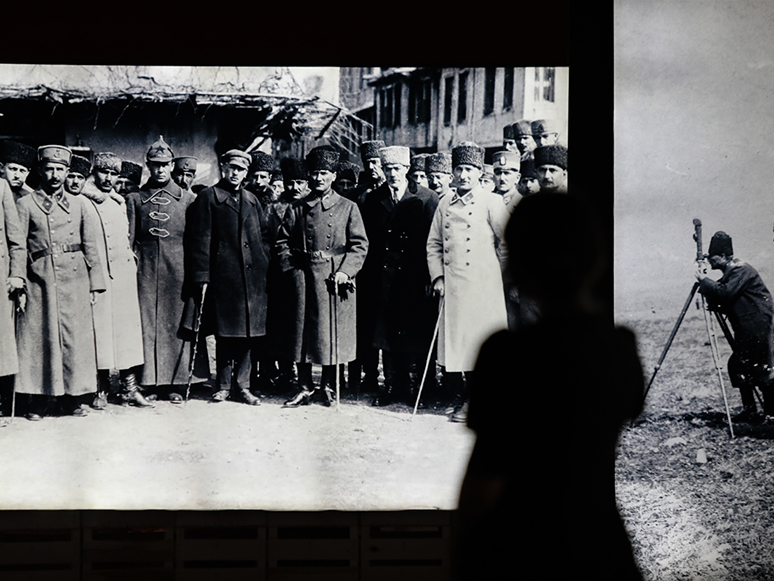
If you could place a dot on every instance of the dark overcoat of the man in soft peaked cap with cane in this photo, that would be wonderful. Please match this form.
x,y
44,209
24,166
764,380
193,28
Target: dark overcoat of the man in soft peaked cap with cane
x,y
228,247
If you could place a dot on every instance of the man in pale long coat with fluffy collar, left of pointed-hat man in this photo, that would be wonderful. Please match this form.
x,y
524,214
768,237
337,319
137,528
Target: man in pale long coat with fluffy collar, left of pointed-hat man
x,y
117,324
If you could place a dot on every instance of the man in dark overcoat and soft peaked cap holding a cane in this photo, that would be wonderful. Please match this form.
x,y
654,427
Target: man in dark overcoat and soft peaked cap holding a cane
x,y
227,248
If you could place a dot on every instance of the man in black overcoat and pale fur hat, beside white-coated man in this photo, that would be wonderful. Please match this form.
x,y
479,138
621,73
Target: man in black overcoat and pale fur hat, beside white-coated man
x,y
397,223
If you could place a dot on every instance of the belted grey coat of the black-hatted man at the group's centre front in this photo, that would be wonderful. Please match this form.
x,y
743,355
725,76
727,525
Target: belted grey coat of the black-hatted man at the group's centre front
x,y
321,236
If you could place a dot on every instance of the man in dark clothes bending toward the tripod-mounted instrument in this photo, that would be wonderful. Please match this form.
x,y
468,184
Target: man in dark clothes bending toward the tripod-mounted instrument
x,y
741,295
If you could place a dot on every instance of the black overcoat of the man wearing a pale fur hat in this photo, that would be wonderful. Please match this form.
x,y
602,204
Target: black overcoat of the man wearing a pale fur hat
x,y
395,279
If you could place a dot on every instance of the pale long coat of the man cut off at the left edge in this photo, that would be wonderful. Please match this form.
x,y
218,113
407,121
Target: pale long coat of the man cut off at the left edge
x,y
13,263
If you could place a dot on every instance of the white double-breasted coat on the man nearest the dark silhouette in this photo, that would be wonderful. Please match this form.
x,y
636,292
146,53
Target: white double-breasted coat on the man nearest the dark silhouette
x,y
466,247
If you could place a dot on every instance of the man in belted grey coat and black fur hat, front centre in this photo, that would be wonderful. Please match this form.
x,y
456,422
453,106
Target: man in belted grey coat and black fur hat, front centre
x,y
323,236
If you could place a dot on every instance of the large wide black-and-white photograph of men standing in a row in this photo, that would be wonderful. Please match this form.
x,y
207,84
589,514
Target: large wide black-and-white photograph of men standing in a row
x,y
221,292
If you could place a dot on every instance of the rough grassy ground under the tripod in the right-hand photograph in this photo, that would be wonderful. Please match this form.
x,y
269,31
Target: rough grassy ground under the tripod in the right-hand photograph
x,y
697,503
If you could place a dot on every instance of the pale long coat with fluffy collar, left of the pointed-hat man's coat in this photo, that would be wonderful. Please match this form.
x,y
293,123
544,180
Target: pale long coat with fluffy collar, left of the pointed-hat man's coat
x,y
117,323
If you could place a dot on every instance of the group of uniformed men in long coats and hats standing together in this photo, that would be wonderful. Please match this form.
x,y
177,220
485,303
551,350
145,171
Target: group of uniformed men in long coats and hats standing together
x,y
107,276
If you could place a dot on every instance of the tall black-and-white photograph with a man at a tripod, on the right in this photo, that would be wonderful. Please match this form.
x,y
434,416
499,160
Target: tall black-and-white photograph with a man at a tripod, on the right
x,y
693,270
